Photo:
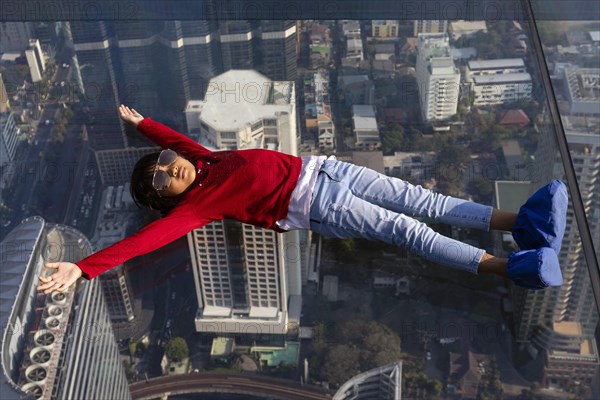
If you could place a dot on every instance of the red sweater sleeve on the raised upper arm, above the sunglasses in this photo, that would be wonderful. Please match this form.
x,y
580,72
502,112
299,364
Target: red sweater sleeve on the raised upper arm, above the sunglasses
x,y
168,138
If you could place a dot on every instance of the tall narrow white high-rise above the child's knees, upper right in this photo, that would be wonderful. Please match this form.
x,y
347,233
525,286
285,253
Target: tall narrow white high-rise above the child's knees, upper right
x,y
437,77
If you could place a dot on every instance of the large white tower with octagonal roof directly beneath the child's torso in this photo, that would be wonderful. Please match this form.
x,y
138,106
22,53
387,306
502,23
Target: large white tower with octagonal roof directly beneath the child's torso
x,y
248,279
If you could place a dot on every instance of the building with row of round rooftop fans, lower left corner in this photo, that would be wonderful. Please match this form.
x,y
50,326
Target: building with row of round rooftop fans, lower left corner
x,y
60,345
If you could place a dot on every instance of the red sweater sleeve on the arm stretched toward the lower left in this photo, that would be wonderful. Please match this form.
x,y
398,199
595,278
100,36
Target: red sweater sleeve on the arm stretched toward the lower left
x,y
180,221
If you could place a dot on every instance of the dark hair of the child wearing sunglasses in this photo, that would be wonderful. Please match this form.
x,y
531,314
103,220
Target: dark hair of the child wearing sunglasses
x,y
142,191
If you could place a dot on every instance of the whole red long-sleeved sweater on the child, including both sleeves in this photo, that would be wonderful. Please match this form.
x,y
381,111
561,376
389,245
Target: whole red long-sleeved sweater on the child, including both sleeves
x,y
252,186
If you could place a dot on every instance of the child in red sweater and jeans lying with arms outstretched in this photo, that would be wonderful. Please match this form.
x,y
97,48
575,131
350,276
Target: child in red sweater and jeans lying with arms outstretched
x,y
193,186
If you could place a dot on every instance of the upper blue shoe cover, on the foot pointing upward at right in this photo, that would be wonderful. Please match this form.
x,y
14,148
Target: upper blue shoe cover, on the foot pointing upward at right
x,y
541,220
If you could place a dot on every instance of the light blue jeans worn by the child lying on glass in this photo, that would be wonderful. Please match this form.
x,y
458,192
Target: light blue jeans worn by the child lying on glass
x,y
352,201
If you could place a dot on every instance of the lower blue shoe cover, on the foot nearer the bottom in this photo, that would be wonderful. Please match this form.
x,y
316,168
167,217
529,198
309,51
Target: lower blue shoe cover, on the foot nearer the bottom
x,y
534,269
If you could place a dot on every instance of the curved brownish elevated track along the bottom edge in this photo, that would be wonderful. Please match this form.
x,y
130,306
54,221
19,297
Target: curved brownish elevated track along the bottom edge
x,y
254,385
